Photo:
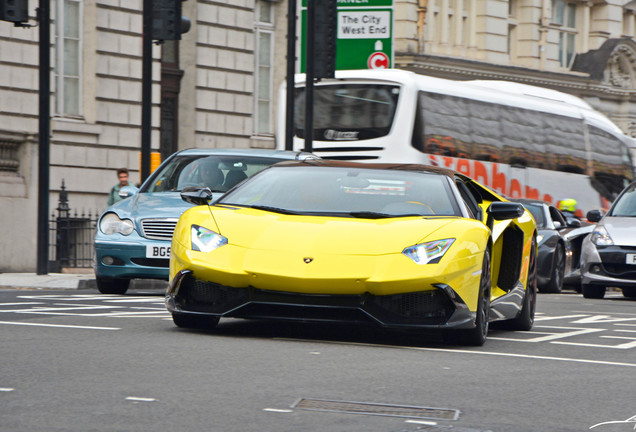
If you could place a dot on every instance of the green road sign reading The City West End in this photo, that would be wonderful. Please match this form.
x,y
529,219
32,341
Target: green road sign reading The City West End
x,y
365,34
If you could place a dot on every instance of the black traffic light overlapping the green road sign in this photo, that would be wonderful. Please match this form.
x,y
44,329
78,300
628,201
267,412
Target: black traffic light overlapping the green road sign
x,y
325,35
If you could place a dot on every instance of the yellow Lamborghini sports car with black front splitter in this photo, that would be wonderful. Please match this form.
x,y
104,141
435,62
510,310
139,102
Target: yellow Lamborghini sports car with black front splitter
x,y
401,246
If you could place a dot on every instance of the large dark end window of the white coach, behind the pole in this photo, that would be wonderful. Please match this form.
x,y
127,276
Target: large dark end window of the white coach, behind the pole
x,y
348,112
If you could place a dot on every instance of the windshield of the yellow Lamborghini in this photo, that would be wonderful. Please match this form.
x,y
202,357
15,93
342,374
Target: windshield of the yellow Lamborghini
x,y
346,191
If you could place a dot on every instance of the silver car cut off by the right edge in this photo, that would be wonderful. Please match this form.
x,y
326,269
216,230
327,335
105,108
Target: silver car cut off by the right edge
x,y
608,256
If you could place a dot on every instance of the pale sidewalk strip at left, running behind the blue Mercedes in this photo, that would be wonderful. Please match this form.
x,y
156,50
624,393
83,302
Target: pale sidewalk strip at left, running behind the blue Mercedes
x,y
82,279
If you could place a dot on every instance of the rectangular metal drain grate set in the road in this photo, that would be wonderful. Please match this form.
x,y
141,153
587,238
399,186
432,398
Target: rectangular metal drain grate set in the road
x,y
377,409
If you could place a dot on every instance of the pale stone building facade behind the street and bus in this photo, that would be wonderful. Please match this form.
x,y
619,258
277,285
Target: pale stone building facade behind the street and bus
x,y
217,86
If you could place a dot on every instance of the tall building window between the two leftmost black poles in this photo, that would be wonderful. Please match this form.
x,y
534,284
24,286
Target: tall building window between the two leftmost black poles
x,y
68,57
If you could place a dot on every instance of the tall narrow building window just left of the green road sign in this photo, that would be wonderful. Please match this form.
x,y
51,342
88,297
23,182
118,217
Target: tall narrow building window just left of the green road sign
x,y
263,93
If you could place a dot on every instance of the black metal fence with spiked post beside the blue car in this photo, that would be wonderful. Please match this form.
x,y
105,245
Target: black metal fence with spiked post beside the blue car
x,y
71,236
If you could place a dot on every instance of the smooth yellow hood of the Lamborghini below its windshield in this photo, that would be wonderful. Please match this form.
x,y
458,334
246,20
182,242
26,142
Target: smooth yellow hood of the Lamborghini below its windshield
x,y
260,230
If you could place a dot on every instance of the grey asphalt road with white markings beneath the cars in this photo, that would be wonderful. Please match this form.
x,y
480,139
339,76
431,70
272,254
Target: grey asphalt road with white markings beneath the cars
x,y
81,361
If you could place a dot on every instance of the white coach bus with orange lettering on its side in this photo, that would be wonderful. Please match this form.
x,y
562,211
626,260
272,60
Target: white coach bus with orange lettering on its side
x,y
522,141
